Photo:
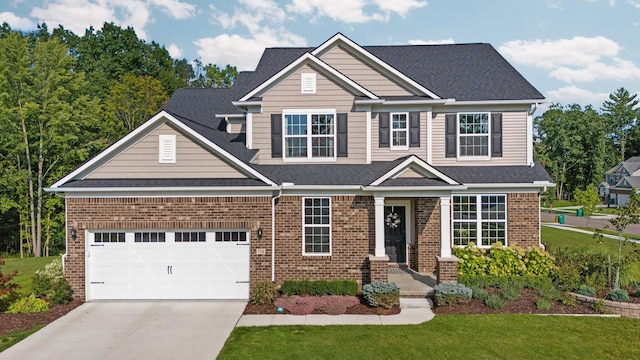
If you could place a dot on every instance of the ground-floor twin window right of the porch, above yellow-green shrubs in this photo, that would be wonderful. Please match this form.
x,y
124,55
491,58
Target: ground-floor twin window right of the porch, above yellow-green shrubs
x,y
481,219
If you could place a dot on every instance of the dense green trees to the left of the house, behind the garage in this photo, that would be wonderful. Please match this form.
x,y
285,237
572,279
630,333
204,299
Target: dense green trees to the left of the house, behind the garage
x,y
64,98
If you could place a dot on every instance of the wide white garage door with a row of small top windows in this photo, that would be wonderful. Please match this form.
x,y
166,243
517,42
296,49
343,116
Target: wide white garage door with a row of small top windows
x,y
168,265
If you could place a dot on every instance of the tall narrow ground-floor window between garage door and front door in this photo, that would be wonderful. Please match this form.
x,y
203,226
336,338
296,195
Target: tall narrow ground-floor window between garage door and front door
x,y
316,226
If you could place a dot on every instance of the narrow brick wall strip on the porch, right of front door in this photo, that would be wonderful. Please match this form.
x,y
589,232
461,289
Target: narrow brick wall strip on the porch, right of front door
x,y
427,245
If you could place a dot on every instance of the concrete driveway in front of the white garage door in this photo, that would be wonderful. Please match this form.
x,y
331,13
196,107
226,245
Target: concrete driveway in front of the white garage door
x,y
134,330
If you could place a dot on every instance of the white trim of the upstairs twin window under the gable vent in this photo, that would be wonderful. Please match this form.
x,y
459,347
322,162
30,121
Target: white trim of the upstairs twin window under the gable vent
x,y
309,136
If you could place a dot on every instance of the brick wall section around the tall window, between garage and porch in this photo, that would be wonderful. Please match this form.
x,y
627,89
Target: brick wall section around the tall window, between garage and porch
x,y
353,239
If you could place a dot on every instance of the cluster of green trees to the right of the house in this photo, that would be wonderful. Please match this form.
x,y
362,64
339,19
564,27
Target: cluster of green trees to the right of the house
x,y
577,145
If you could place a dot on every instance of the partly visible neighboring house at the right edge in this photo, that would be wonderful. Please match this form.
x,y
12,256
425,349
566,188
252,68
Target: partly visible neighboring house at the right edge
x,y
621,178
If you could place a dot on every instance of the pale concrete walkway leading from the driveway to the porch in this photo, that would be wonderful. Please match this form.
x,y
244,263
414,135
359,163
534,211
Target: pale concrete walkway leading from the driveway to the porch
x,y
412,311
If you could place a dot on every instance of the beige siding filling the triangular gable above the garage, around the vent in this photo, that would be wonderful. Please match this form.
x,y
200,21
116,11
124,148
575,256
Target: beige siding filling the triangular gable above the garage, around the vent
x,y
141,161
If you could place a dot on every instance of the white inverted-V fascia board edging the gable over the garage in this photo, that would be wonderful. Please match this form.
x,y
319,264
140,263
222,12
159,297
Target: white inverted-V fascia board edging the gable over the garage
x,y
150,123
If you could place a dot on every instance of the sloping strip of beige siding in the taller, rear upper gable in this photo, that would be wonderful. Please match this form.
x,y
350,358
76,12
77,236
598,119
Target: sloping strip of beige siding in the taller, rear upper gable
x,y
362,73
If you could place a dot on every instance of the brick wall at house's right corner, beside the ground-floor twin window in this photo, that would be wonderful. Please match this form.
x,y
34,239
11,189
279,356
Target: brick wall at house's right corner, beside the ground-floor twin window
x,y
523,214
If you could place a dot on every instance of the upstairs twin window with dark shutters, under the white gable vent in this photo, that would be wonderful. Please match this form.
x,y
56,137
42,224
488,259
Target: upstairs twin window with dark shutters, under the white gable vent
x,y
310,134
